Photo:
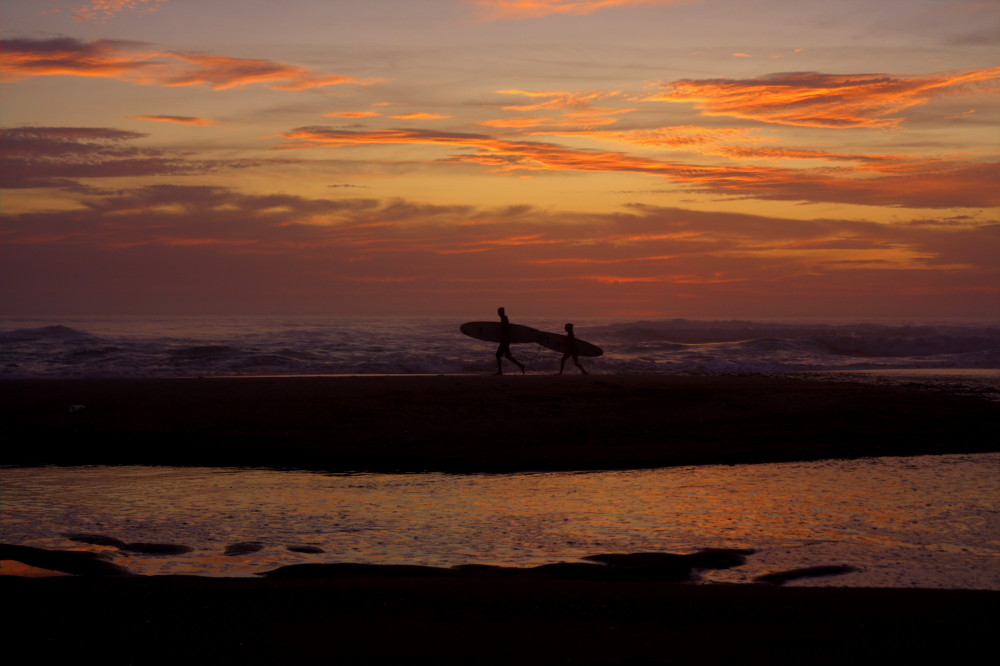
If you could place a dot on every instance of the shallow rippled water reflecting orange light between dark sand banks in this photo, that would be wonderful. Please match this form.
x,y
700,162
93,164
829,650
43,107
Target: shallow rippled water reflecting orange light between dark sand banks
x,y
931,521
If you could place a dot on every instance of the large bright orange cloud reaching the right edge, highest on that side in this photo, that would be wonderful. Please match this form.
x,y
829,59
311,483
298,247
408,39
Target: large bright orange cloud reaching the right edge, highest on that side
x,y
812,99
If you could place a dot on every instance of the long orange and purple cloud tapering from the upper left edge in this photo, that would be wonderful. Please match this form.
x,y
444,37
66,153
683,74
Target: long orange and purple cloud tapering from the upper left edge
x,y
22,58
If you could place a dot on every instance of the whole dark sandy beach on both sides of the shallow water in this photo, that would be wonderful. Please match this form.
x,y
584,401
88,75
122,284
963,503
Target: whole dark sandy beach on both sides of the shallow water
x,y
464,423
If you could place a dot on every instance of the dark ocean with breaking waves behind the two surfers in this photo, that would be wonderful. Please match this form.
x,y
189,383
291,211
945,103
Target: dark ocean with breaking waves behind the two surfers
x,y
219,346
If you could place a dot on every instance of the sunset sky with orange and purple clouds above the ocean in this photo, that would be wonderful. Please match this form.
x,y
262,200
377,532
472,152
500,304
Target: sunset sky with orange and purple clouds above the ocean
x,y
769,159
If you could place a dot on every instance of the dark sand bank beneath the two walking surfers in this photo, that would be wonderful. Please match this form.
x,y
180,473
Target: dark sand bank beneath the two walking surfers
x,y
479,423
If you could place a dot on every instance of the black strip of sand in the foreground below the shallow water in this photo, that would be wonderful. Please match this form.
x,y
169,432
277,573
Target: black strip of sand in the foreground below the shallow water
x,y
398,619
